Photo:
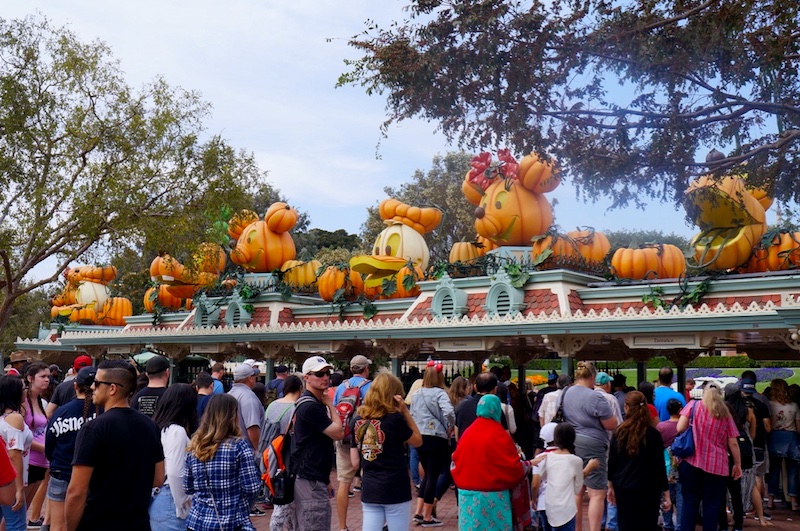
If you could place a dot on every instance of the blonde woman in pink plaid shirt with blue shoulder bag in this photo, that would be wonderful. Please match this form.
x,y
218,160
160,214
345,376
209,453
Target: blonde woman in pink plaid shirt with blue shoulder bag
x,y
703,475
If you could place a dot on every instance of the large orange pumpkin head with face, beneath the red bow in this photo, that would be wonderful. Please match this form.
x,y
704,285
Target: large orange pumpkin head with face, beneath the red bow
x,y
510,214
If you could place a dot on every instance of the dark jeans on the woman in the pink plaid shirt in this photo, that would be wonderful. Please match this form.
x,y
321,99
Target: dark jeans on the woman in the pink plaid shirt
x,y
699,487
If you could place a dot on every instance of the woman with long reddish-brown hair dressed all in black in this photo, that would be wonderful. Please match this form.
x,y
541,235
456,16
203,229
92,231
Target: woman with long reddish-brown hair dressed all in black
x,y
637,475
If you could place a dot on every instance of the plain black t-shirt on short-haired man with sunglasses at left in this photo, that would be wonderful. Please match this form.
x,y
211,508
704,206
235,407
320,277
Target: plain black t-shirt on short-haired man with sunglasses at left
x,y
122,446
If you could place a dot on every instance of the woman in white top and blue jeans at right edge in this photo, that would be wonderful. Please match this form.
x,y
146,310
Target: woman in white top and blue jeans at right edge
x,y
783,439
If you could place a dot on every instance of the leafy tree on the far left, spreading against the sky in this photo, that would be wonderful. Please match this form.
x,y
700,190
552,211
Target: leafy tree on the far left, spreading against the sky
x,y
89,165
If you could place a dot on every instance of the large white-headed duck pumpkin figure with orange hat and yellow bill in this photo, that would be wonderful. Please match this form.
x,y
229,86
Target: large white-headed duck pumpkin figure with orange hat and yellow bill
x,y
398,245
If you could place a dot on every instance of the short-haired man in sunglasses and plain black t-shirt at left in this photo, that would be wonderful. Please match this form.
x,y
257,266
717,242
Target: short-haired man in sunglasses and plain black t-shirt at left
x,y
118,458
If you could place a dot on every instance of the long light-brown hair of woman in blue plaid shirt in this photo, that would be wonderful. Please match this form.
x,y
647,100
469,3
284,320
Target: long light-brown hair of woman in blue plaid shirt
x,y
220,423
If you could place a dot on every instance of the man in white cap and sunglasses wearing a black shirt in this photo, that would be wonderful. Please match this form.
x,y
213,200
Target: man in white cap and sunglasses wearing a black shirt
x,y
316,426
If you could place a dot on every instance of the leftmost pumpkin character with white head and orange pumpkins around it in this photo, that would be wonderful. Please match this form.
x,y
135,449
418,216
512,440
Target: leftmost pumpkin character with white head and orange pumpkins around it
x,y
86,298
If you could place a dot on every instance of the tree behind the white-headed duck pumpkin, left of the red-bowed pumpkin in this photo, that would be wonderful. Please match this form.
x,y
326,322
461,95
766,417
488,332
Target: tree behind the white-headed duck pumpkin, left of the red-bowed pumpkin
x,y
439,187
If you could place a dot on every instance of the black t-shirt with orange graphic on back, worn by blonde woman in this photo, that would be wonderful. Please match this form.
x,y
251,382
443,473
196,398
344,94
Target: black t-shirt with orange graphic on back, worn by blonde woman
x,y
383,458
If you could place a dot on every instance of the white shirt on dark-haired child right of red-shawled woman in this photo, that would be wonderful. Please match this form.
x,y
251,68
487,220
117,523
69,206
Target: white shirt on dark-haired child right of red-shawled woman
x,y
564,476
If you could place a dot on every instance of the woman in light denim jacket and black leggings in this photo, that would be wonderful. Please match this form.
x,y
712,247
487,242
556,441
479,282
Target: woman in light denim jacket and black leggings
x,y
434,414
